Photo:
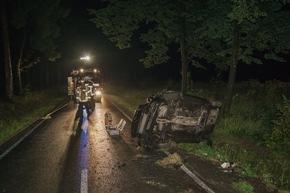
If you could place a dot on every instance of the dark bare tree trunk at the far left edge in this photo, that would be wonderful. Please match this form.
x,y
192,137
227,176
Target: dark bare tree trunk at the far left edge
x,y
6,46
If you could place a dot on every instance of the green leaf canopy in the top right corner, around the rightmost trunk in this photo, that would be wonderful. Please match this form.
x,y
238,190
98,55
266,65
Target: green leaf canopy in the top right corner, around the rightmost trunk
x,y
254,19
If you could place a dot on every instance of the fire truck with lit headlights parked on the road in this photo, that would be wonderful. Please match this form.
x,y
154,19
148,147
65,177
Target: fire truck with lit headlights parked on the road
x,y
85,86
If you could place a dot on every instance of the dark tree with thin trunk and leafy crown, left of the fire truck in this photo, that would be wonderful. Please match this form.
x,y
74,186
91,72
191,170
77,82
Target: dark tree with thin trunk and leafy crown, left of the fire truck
x,y
37,24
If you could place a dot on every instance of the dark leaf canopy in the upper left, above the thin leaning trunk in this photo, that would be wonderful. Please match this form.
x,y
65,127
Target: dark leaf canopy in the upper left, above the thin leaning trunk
x,y
39,23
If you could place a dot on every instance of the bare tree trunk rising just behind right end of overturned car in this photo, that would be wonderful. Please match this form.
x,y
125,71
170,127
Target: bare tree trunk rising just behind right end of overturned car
x,y
233,70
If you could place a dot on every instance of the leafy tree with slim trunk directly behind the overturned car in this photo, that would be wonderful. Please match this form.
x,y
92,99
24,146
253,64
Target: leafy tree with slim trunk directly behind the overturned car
x,y
160,23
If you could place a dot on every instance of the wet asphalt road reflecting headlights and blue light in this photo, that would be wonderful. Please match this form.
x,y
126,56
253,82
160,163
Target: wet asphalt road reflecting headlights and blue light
x,y
70,154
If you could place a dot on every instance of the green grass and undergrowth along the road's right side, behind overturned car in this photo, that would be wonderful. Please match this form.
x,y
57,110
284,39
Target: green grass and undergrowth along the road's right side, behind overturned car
x,y
254,135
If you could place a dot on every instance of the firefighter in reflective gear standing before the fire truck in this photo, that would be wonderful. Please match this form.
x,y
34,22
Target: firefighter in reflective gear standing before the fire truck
x,y
83,98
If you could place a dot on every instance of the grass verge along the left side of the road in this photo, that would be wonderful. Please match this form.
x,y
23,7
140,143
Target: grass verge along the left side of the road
x,y
24,110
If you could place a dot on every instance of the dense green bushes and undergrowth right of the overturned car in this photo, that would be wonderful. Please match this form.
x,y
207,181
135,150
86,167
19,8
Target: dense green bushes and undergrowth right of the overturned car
x,y
257,125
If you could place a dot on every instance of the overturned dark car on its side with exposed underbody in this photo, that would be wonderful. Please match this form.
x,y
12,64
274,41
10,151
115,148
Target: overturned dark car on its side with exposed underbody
x,y
170,116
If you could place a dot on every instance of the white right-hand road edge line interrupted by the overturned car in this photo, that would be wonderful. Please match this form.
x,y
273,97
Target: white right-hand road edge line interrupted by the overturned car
x,y
183,167
